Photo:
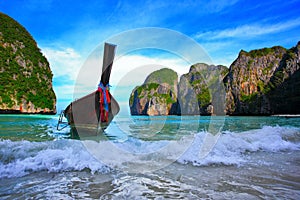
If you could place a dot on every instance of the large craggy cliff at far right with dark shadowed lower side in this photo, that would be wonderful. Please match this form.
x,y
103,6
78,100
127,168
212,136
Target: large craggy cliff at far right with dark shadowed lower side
x,y
264,82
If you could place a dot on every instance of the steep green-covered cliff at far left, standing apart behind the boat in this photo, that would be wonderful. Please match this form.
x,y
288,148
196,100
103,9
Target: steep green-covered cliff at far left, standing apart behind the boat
x,y
26,78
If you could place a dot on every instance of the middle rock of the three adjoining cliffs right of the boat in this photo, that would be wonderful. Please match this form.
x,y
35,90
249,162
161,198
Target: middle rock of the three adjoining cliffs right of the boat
x,y
201,91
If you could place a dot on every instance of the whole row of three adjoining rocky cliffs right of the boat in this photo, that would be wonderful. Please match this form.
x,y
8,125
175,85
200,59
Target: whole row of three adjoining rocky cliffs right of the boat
x,y
260,82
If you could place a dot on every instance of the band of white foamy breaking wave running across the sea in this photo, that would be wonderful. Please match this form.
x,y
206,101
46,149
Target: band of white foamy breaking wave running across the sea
x,y
19,158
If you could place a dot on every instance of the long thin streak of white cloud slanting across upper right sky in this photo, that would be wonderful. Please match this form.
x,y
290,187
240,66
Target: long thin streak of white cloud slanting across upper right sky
x,y
249,30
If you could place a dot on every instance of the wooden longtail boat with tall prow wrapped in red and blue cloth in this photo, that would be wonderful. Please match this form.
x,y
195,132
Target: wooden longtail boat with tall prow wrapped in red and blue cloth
x,y
93,113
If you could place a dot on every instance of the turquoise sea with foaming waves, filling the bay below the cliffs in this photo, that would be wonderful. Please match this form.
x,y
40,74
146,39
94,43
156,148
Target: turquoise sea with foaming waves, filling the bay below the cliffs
x,y
190,157
